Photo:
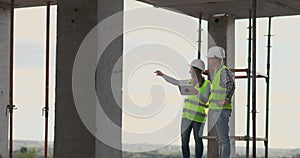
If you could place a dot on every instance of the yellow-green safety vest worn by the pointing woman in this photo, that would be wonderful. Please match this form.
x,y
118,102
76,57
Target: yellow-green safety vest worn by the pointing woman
x,y
194,109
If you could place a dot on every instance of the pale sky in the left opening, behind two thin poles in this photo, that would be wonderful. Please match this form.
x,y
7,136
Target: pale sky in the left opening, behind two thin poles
x,y
29,79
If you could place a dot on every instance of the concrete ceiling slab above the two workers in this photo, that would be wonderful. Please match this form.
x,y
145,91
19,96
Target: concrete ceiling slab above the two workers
x,y
237,8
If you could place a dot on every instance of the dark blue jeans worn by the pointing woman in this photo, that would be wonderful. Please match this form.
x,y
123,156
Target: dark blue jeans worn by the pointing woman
x,y
186,128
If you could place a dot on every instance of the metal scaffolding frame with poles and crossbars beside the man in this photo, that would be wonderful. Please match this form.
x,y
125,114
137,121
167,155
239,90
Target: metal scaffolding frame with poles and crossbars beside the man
x,y
254,76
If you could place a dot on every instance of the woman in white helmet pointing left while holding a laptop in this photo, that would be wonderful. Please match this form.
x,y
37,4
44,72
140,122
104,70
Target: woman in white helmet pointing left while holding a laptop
x,y
194,110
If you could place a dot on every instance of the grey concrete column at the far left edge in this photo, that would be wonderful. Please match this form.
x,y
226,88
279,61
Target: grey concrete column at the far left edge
x,y
4,79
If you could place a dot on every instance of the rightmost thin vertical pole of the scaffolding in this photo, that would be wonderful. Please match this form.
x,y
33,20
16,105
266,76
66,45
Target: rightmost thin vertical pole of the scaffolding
x,y
268,88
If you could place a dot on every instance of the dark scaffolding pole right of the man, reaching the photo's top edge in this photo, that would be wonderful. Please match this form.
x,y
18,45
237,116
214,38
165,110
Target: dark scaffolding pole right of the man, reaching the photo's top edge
x,y
254,7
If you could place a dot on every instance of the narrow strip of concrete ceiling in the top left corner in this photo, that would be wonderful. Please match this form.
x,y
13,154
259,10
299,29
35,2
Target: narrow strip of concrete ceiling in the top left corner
x,y
24,3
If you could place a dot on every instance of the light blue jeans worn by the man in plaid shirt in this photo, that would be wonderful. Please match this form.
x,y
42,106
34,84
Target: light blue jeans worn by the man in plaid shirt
x,y
221,120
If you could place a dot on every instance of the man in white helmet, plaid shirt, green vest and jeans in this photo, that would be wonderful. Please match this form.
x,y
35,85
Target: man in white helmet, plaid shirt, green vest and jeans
x,y
220,105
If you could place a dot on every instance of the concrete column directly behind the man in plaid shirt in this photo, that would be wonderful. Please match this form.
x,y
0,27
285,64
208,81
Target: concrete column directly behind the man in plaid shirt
x,y
221,29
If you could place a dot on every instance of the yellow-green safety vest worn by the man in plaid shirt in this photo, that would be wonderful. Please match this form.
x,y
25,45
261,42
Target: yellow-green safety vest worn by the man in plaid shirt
x,y
218,93
